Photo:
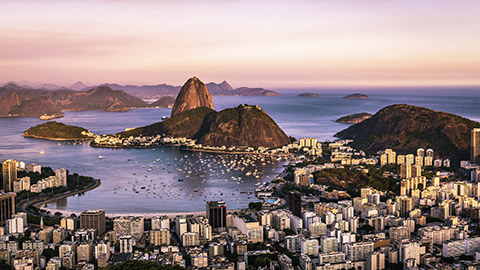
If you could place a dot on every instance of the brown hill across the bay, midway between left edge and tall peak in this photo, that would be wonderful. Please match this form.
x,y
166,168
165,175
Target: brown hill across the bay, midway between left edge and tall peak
x,y
102,98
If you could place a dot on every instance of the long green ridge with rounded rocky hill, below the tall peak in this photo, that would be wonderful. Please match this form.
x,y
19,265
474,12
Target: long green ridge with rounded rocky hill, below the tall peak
x,y
241,126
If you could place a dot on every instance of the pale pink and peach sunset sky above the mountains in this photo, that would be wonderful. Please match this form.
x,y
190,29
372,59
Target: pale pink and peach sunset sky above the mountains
x,y
275,44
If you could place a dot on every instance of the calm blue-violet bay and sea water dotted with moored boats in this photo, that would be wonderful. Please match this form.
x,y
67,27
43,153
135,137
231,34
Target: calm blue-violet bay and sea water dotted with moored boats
x,y
158,170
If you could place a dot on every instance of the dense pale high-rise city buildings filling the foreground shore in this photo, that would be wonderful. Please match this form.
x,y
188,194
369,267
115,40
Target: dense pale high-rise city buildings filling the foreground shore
x,y
431,221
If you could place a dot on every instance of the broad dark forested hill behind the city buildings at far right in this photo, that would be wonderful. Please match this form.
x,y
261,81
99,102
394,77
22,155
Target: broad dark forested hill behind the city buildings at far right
x,y
405,128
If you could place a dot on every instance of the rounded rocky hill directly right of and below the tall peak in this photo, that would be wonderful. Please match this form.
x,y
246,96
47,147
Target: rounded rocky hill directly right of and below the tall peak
x,y
242,126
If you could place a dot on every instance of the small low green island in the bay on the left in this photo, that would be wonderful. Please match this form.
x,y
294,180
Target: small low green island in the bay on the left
x,y
56,131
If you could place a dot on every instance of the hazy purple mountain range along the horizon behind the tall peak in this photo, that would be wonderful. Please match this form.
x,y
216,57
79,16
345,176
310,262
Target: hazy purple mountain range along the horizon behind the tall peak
x,y
153,91
